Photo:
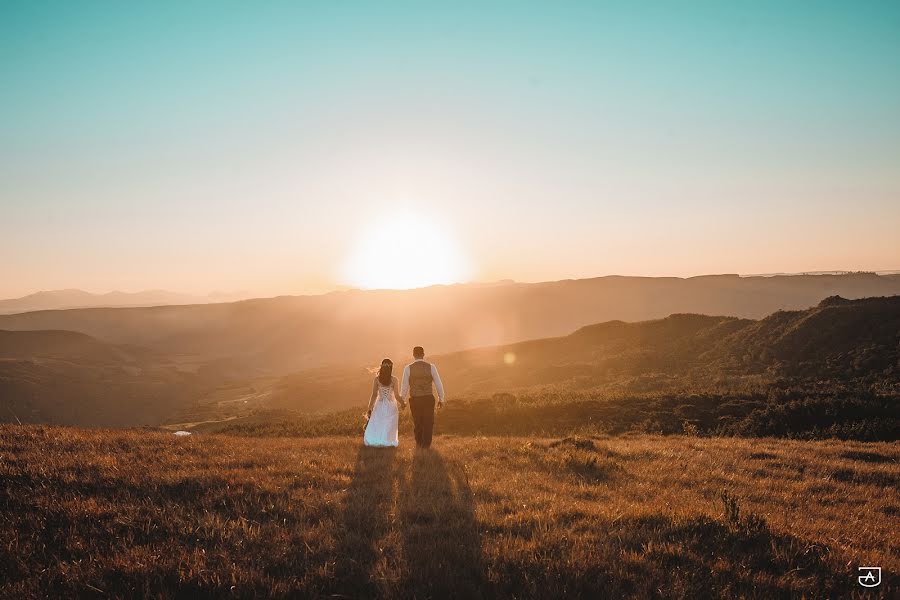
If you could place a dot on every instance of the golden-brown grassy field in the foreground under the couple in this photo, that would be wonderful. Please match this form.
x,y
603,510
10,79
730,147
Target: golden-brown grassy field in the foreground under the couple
x,y
126,513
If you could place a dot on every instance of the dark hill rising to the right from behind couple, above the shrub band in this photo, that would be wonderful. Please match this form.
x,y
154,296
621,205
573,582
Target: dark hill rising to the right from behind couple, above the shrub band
x,y
839,340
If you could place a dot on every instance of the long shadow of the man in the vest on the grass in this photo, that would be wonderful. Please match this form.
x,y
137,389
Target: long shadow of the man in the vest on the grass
x,y
441,545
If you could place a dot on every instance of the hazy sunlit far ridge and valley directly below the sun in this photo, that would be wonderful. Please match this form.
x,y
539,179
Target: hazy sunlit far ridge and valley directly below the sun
x,y
276,336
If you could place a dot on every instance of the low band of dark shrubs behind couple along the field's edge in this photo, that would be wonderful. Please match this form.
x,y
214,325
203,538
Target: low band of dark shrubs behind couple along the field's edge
x,y
786,413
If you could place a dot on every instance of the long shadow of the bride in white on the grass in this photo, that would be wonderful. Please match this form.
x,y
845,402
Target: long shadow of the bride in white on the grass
x,y
364,521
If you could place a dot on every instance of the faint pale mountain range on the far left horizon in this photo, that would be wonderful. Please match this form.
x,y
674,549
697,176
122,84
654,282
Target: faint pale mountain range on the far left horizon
x,y
66,299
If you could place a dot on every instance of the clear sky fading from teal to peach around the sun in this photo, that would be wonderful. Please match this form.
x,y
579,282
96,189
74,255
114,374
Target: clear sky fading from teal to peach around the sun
x,y
298,147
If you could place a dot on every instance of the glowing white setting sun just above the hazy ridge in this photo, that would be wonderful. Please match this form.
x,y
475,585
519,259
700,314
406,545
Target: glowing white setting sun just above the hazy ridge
x,y
402,252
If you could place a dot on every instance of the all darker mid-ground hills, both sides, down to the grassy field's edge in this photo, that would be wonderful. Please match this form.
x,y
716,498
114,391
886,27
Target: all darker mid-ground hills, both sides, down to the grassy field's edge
x,y
724,367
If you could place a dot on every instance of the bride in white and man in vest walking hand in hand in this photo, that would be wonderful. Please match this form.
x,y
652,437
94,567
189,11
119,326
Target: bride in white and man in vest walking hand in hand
x,y
386,400
